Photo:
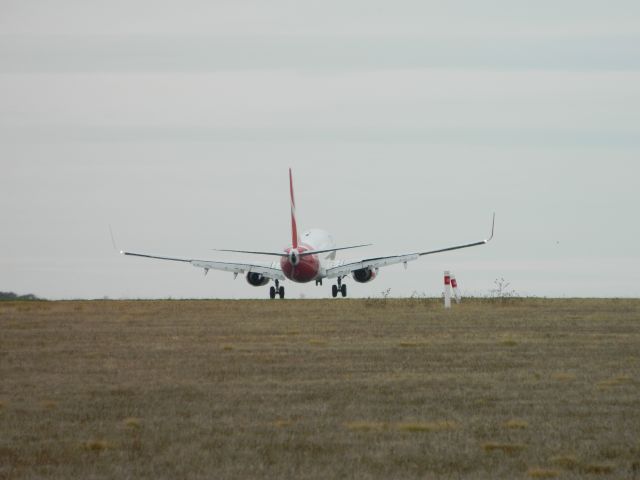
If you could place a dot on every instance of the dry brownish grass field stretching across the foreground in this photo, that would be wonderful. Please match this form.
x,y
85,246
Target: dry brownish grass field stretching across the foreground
x,y
320,389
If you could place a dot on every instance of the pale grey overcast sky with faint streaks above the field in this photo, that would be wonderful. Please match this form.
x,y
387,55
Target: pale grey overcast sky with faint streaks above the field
x,y
406,124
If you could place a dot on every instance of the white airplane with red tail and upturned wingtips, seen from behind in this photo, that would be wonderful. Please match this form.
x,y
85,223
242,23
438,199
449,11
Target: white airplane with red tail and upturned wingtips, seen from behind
x,y
311,257
